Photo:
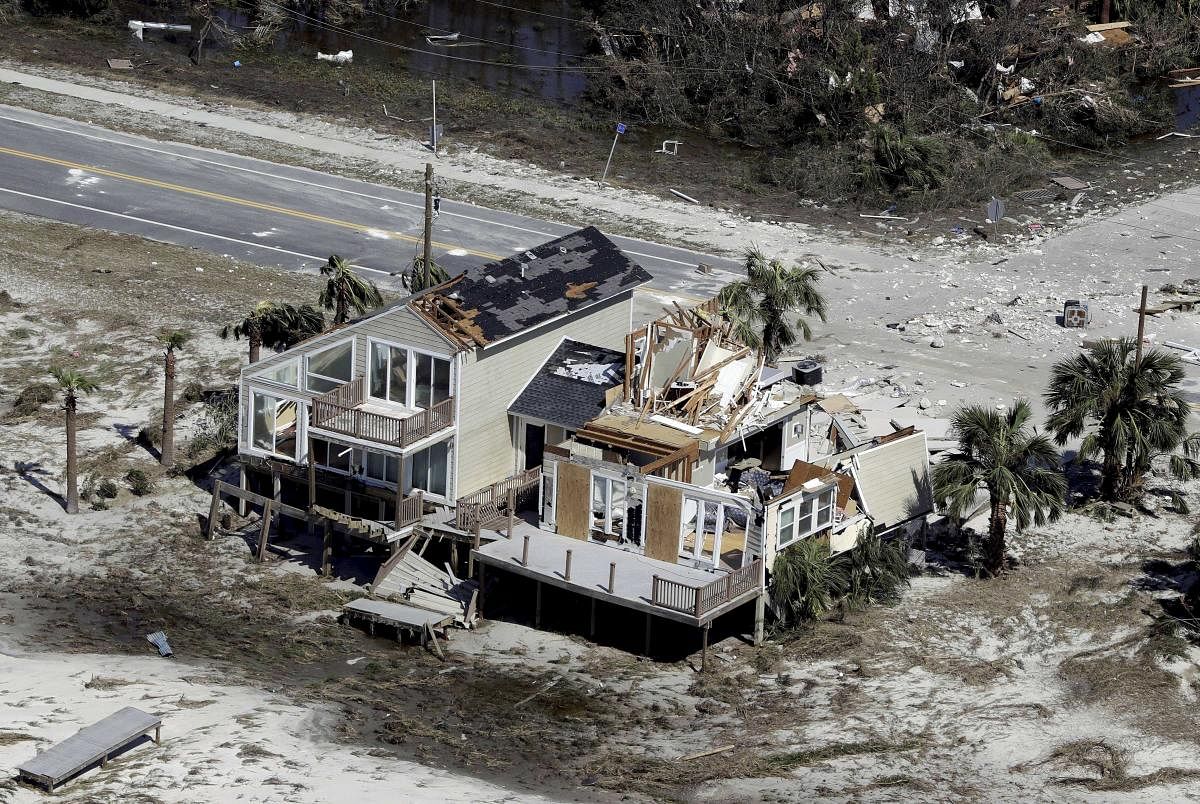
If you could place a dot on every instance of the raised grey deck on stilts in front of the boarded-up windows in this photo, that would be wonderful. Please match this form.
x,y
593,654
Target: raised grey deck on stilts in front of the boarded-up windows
x,y
683,595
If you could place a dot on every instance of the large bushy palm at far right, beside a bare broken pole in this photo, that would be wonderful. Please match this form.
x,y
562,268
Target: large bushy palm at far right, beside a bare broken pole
x,y
1127,412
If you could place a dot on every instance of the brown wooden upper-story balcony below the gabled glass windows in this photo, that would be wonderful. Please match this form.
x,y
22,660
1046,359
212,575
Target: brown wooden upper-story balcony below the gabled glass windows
x,y
343,411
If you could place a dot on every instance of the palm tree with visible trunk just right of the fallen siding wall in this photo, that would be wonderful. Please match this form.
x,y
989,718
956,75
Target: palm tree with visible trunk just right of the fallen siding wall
x,y
1016,465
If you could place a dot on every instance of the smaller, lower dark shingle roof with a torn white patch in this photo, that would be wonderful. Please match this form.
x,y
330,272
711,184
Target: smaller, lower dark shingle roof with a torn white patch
x,y
569,388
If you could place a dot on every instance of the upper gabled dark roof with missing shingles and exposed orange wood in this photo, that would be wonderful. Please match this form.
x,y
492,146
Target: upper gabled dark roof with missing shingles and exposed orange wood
x,y
494,302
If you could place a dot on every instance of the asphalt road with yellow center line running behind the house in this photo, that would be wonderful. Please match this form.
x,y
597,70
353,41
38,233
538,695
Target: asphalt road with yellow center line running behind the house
x,y
267,213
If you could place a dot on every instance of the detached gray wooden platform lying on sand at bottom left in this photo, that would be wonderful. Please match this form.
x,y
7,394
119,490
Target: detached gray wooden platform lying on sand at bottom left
x,y
88,747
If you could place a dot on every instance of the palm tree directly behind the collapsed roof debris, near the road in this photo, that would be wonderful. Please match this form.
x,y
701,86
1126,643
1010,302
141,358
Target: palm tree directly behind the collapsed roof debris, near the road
x,y
760,307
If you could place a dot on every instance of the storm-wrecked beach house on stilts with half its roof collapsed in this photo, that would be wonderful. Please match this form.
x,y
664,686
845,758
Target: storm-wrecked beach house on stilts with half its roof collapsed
x,y
512,413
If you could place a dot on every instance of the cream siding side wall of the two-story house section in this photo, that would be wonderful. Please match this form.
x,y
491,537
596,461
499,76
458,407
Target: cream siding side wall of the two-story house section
x,y
494,377
